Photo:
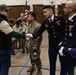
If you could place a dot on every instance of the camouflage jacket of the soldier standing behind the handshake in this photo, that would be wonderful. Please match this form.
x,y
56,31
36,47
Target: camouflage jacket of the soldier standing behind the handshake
x,y
37,41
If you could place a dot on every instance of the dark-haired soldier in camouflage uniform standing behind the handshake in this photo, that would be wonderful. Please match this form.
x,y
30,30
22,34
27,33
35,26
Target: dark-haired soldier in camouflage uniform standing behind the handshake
x,y
34,44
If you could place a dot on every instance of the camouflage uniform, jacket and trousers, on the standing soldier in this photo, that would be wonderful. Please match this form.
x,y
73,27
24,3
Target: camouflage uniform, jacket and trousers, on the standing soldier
x,y
35,43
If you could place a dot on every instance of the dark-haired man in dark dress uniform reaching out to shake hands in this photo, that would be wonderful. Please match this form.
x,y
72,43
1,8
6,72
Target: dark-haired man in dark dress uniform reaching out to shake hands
x,y
55,27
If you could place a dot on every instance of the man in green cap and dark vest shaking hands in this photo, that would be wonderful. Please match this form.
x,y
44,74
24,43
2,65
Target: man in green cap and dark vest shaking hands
x,y
6,34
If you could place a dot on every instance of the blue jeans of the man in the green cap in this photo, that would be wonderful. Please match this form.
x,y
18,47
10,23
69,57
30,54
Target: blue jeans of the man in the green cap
x,y
5,61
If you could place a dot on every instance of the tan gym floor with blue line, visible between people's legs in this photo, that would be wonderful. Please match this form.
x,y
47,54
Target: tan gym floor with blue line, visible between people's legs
x,y
20,63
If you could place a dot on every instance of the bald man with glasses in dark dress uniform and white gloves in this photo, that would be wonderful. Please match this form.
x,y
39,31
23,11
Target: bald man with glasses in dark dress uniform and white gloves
x,y
69,42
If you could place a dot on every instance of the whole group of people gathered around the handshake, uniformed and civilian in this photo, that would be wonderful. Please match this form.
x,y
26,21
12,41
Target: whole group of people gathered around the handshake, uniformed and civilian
x,y
25,34
